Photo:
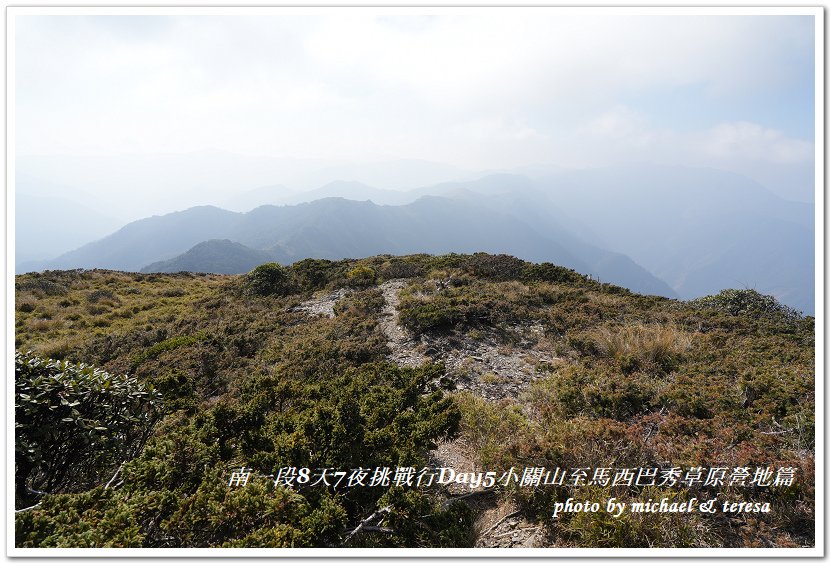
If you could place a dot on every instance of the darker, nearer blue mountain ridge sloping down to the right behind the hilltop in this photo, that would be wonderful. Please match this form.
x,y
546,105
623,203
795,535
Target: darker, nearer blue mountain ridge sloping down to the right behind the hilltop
x,y
336,228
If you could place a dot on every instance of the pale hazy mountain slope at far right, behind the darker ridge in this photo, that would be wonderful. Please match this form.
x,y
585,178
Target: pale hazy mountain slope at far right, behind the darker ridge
x,y
701,230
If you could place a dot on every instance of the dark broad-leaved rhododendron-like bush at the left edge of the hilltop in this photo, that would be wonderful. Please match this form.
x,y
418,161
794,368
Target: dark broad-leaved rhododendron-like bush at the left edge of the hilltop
x,y
73,419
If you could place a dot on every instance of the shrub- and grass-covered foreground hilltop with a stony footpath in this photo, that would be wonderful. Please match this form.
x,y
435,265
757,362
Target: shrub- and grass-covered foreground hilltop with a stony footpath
x,y
138,397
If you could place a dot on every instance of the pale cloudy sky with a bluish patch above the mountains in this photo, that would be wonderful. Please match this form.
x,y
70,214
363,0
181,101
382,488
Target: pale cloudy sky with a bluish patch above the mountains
x,y
479,90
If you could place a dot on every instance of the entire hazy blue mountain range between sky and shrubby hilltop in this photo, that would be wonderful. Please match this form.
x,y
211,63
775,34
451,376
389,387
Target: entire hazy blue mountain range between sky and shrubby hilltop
x,y
669,231
